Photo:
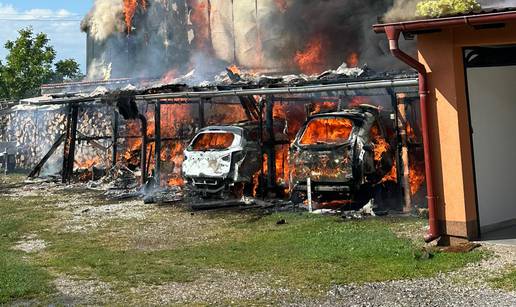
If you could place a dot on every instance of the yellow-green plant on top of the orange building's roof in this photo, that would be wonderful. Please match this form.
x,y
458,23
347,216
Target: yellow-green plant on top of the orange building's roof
x,y
439,8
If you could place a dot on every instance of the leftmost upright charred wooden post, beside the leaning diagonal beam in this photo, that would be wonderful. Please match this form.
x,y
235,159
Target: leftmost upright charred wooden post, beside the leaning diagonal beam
x,y
69,147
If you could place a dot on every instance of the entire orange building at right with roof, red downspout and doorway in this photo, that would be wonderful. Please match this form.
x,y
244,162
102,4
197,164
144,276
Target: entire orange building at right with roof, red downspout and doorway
x,y
467,68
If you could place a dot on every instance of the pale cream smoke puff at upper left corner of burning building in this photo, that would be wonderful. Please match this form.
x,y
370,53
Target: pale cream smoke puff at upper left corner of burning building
x,y
106,18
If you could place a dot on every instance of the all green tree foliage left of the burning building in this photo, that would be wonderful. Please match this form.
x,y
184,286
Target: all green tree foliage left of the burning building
x,y
29,64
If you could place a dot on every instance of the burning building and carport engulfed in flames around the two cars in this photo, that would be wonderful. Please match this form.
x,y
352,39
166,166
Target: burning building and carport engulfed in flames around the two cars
x,y
164,70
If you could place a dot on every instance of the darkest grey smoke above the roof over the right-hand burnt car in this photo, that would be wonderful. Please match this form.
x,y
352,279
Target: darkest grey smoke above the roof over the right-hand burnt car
x,y
345,27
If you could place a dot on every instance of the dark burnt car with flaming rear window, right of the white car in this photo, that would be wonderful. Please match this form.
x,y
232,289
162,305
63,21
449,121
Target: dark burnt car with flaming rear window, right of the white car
x,y
343,153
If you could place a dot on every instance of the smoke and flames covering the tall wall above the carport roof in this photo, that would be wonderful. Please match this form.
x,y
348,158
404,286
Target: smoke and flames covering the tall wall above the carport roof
x,y
173,37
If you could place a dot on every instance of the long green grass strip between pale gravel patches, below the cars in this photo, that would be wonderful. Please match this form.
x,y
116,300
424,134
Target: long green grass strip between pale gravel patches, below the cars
x,y
310,252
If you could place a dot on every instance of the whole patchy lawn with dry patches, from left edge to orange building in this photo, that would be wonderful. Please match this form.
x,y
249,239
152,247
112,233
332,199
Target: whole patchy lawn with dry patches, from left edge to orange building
x,y
309,252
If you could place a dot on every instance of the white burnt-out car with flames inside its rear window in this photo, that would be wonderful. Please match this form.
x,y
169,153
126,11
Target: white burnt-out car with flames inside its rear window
x,y
220,158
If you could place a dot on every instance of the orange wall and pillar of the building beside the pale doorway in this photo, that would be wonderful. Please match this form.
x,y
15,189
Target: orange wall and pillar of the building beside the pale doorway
x,y
450,130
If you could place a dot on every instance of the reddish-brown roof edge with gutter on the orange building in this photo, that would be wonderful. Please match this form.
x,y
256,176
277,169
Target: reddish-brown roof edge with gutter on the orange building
x,y
431,25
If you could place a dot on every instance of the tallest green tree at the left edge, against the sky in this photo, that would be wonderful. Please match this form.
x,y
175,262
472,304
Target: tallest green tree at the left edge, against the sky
x,y
28,65
